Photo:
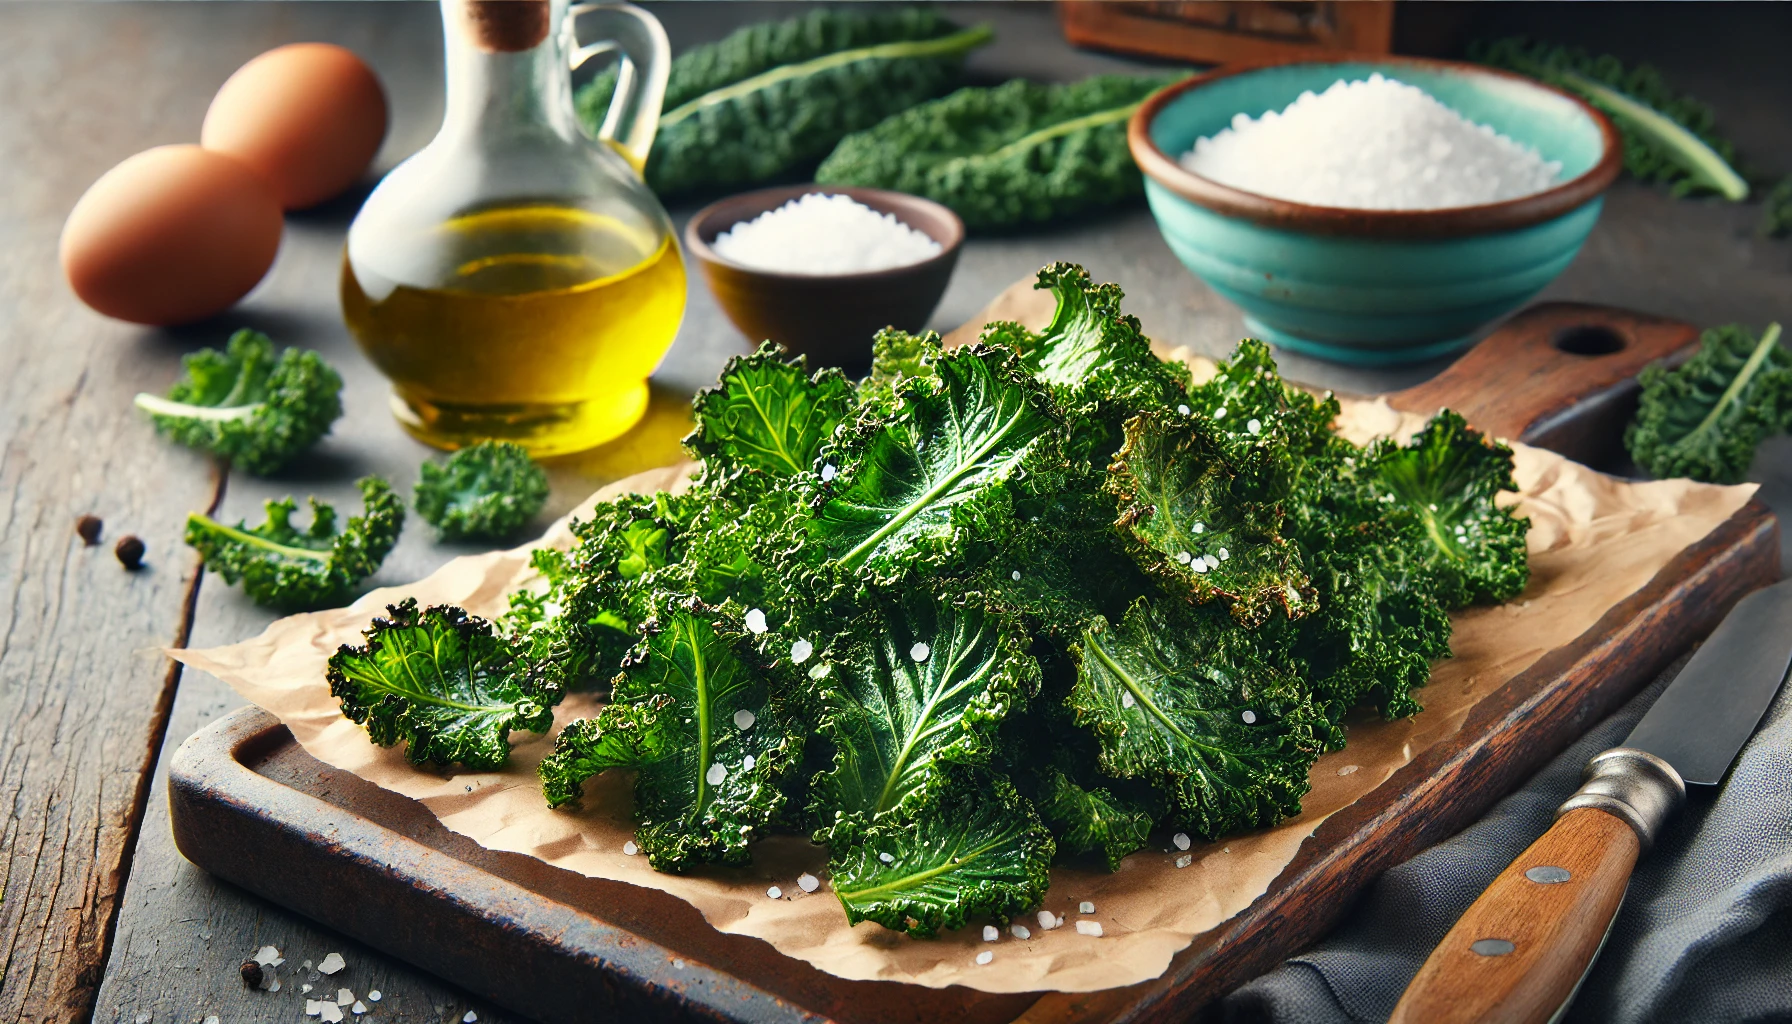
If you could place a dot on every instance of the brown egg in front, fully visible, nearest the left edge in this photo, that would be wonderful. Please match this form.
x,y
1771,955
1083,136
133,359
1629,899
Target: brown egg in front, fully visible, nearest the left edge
x,y
171,236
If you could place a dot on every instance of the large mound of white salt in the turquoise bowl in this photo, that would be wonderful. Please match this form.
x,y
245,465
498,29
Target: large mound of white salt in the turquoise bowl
x,y
1372,144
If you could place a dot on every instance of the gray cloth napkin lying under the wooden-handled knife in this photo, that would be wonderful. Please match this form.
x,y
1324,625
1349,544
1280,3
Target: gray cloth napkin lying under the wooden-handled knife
x,y
1705,932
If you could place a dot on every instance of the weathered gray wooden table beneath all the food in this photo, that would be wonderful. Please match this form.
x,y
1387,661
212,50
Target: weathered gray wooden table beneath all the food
x,y
101,916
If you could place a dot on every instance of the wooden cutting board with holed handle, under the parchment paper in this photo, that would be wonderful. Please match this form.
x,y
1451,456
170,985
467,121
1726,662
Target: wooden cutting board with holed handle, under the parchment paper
x,y
255,810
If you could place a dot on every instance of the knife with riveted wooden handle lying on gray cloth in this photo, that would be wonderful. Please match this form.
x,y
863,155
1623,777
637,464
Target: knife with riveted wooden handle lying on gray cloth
x,y
1524,948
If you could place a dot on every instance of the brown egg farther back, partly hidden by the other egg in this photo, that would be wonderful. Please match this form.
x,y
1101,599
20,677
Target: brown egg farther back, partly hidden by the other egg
x,y
309,117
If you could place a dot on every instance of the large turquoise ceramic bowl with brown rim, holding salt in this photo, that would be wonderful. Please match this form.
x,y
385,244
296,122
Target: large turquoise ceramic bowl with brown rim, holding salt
x,y
1374,286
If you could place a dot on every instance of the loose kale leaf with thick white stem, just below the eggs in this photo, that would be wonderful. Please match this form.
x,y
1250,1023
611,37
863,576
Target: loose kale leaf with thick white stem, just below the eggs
x,y
248,406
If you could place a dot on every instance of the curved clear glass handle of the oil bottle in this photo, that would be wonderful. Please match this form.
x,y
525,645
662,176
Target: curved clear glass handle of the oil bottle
x,y
642,71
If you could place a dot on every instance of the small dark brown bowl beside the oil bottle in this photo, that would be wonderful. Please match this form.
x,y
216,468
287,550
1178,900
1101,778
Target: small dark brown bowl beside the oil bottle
x,y
831,318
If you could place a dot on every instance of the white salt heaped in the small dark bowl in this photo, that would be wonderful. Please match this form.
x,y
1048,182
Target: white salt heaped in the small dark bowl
x,y
823,236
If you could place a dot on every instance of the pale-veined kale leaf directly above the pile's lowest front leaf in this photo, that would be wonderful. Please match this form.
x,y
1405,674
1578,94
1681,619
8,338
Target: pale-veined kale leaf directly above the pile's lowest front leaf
x,y
909,688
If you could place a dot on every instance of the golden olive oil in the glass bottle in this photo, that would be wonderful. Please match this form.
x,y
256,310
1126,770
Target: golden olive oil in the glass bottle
x,y
538,325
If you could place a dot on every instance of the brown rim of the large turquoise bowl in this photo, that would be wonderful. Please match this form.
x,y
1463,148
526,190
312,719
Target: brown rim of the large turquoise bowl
x,y
1452,221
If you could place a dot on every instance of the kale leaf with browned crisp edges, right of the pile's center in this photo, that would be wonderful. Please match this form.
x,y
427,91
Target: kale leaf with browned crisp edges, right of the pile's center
x,y
1205,521
